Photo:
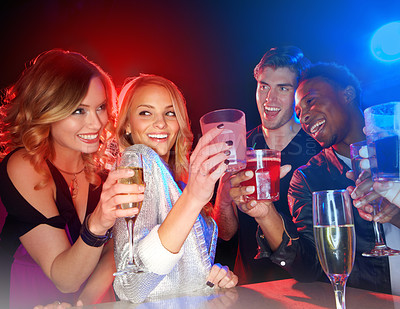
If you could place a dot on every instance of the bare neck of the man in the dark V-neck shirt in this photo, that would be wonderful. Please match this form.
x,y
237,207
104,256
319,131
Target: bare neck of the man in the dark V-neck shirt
x,y
279,138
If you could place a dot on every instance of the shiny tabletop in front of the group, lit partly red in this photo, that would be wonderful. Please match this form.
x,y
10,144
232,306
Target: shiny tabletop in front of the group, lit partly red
x,y
287,293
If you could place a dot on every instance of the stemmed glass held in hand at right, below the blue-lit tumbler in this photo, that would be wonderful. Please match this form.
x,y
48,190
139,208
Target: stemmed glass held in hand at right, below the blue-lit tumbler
x,y
380,248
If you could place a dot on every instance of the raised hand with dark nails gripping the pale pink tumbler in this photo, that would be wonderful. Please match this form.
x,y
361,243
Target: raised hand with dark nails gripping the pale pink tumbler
x,y
207,163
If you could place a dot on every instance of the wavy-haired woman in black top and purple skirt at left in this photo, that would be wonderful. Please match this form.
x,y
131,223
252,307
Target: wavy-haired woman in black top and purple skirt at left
x,y
60,209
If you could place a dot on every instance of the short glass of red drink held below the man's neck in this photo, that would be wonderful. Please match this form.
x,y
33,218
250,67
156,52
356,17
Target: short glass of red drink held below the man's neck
x,y
265,163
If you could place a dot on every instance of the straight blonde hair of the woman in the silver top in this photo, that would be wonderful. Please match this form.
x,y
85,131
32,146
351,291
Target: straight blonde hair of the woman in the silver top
x,y
179,154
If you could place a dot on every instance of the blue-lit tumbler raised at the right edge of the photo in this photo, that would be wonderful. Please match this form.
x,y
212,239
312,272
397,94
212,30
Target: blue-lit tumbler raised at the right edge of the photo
x,y
382,126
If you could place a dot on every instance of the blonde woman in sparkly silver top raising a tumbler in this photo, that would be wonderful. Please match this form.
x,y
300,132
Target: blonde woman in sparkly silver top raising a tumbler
x,y
174,238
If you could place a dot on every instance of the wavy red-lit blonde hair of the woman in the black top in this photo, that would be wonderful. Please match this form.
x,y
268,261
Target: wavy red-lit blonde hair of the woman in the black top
x,y
50,89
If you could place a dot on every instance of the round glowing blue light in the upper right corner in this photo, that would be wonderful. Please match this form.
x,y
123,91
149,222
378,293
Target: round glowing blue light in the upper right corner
x,y
385,43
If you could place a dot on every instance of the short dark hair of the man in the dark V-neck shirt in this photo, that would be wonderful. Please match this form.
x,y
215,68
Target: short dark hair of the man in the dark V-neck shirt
x,y
283,57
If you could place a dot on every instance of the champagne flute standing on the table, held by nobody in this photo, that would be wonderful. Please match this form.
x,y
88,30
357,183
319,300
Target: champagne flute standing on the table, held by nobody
x,y
334,238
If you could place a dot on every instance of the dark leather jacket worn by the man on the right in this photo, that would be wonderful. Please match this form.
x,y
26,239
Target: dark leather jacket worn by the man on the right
x,y
297,253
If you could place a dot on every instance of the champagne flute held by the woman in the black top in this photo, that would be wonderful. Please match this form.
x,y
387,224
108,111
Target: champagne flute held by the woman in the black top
x,y
130,160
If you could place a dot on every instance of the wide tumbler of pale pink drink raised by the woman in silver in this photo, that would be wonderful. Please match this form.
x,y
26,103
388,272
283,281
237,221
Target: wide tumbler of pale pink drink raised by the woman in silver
x,y
234,122
